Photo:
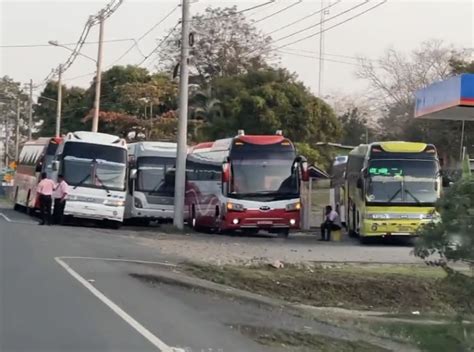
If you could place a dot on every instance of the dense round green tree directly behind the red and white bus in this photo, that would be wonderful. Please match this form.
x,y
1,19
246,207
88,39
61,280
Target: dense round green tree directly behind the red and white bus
x,y
263,101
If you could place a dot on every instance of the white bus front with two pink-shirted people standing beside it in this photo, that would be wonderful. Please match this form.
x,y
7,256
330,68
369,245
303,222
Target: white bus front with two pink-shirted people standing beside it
x,y
94,165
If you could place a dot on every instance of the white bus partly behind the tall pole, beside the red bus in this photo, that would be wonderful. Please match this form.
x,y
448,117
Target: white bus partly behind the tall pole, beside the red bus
x,y
150,194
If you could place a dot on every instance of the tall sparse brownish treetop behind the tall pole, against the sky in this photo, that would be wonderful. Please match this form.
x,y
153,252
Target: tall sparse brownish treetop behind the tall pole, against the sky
x,y
225,44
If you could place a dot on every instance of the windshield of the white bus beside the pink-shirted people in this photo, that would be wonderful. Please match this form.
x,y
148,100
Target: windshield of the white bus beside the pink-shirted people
x,y
94,165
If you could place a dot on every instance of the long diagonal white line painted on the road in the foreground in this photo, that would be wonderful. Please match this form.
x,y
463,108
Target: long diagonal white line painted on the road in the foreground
x,y
163,347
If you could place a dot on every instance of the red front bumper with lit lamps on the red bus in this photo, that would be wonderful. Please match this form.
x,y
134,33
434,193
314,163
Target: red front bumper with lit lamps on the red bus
x,y
271,220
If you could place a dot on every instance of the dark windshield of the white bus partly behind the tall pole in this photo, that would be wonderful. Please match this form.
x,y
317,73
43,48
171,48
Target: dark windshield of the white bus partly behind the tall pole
x,y
156,175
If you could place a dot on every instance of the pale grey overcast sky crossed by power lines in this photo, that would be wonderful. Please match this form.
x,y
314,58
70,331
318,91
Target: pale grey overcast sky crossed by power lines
x,y
399,24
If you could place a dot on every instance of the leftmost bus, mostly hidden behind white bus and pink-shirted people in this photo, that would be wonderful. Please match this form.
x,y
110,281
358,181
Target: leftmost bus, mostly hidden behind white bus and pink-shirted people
x,y
35,157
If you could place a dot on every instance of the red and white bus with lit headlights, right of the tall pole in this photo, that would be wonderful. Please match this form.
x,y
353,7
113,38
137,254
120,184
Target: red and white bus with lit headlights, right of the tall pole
x,y
248,182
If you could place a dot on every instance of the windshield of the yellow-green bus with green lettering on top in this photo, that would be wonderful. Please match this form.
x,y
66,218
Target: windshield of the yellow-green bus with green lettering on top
x,y
402,181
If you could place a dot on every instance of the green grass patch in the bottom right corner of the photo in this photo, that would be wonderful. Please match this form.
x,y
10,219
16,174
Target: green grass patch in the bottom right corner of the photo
x,y
433,338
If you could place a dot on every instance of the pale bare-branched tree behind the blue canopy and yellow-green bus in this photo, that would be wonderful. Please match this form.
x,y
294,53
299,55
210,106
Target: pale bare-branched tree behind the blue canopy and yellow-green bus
x,y
395,77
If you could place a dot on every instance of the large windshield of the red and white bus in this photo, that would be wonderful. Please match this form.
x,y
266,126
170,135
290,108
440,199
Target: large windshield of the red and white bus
x,y
264,174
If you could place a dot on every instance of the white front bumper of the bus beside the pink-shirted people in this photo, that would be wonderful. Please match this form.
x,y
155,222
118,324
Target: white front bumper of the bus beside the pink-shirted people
x,y
93,211
